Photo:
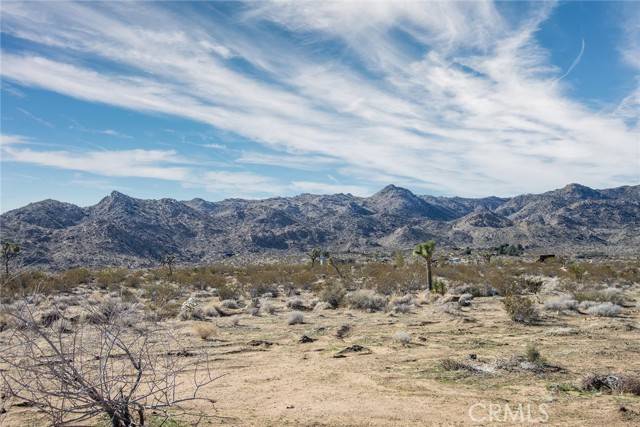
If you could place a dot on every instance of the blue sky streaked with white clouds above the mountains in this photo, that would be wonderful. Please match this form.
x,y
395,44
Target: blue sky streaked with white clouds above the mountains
x,y
264,99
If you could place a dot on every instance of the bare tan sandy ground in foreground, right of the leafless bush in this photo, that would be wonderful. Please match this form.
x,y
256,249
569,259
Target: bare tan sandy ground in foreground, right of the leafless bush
x,y
303,384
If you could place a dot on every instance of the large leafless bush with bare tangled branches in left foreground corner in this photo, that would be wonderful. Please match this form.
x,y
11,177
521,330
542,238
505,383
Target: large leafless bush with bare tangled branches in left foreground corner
x,y
101,370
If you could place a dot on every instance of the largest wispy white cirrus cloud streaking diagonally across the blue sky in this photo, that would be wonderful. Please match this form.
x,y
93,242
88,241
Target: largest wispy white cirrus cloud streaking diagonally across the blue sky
x,y
446,96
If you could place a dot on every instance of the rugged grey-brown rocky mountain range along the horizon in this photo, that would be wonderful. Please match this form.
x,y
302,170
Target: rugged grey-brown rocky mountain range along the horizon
x,y
125,231
